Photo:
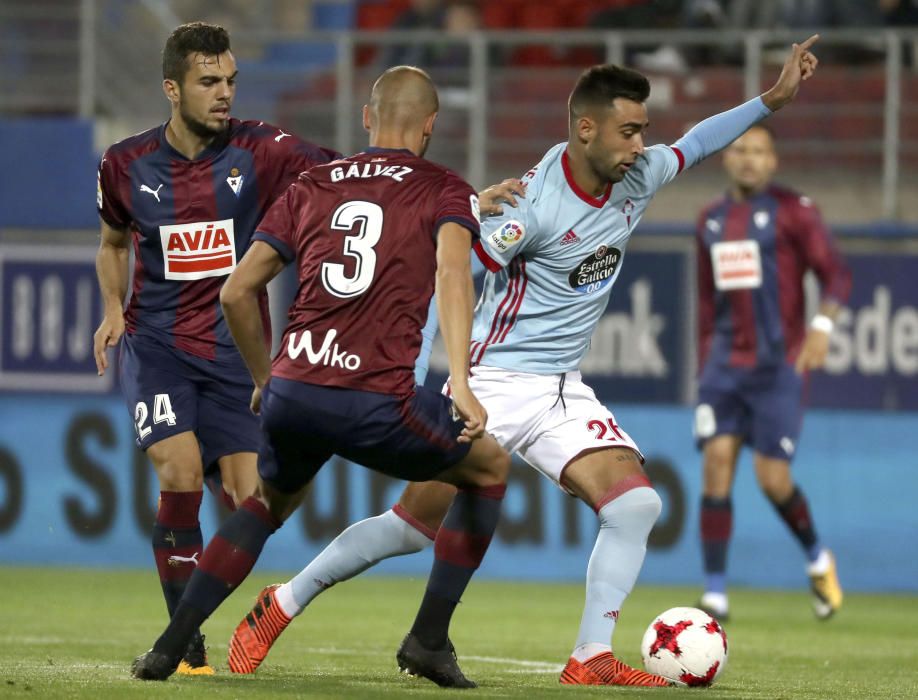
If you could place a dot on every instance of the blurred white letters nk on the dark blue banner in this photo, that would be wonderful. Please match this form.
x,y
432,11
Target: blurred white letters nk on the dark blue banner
x,y
627,344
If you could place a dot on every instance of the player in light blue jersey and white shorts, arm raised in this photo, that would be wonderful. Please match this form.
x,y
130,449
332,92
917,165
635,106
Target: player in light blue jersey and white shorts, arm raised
x,y
553,261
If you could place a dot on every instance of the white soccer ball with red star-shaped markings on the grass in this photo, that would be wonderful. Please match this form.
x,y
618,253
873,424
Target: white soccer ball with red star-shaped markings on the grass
x,y
686,646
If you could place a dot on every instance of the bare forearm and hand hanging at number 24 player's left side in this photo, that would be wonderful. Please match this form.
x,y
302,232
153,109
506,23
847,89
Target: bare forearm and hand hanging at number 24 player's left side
x,y
112,261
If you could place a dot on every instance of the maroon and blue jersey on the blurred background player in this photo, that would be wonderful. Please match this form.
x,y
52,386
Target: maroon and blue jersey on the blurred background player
x,y
752,258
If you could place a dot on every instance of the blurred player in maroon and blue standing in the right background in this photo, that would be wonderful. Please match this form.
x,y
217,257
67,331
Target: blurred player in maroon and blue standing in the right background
x,y
755,245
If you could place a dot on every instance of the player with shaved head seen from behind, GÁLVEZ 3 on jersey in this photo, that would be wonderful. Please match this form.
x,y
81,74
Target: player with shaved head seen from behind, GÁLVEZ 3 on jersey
x,y
372,235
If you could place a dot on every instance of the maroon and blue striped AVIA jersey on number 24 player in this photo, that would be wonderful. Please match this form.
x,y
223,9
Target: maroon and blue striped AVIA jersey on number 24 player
x,y
192,220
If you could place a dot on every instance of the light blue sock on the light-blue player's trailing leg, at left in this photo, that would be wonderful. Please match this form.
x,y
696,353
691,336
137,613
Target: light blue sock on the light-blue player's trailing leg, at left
x,y
355,550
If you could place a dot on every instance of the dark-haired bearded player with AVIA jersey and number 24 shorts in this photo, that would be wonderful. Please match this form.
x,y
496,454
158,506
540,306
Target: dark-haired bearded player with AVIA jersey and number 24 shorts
x,y
187,195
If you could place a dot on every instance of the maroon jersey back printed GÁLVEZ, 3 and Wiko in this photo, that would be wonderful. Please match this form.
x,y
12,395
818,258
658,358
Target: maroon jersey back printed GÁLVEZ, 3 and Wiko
x,y
363,233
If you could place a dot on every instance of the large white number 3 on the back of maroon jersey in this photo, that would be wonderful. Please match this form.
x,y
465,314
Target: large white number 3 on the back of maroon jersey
x,y
364,221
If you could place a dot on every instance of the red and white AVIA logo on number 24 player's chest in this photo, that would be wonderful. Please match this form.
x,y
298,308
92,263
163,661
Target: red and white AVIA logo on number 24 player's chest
x,y
198,250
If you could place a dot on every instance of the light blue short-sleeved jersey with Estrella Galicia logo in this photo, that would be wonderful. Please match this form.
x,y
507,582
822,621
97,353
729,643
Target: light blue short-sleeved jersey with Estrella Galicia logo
x,y
553,262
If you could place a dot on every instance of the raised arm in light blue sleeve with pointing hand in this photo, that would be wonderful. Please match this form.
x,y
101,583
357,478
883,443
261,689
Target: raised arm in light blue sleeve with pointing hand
x,y
717,132
